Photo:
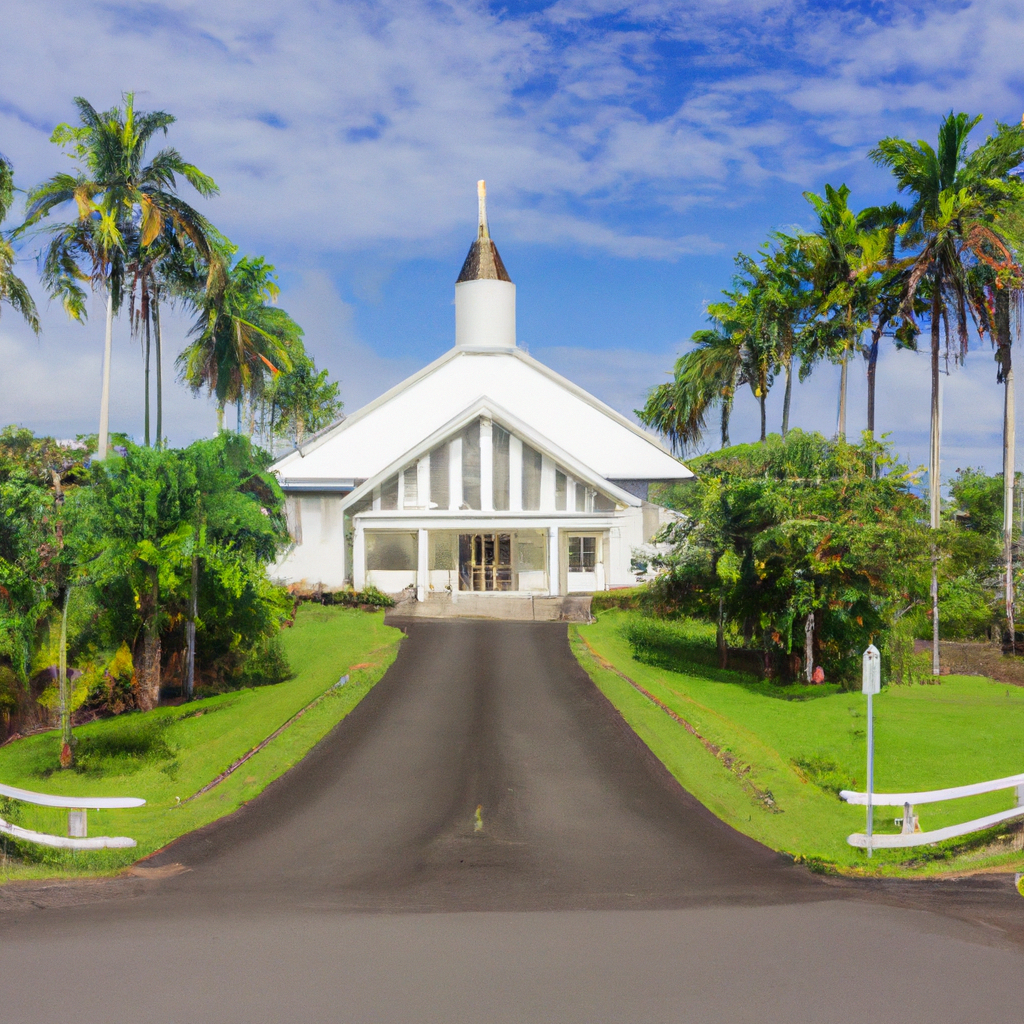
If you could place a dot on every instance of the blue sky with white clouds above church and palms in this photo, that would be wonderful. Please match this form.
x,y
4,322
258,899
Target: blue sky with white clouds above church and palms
x,y
631,150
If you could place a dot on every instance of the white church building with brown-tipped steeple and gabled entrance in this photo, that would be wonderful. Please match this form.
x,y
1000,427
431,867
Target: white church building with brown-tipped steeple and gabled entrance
x,y
485,473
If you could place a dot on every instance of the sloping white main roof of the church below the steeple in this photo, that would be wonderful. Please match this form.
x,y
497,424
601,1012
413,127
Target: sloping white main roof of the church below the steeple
x,y
369,441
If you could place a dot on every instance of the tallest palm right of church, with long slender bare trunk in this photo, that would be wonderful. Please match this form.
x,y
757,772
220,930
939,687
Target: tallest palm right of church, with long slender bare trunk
x,y
955,199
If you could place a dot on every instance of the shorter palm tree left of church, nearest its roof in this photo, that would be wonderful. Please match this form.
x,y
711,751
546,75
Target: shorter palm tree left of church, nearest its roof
x,y
240,336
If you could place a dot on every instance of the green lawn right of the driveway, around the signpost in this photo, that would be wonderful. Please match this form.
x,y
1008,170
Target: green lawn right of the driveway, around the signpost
x,y
785,750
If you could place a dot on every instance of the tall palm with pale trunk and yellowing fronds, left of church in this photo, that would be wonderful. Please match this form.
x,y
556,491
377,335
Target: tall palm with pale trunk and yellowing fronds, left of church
x,y
123,206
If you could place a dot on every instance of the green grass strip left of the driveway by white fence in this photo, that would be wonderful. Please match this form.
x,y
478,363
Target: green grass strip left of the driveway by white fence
x,y
168,755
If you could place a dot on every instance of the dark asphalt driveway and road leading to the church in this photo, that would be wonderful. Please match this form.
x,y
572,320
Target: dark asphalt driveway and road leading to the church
x,y
483,839
